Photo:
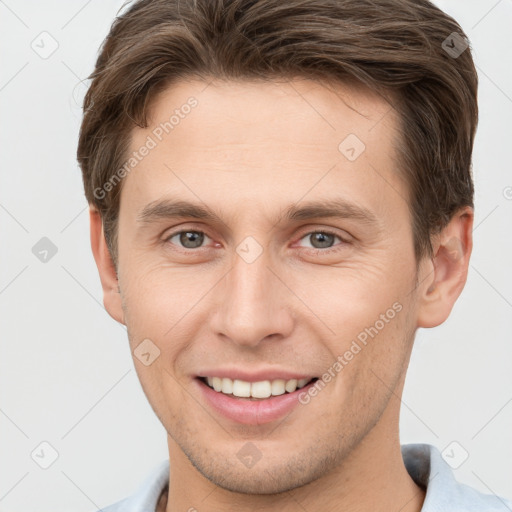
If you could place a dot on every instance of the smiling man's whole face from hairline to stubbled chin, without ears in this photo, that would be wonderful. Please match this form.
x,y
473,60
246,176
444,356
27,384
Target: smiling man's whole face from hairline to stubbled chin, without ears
x,y
256,294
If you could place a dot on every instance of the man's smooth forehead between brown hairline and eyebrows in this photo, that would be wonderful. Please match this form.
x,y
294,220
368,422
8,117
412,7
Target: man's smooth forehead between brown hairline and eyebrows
x,y
265,142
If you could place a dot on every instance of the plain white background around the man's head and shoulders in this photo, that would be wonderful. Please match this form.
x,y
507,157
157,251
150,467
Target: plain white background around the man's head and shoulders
x,y
66,374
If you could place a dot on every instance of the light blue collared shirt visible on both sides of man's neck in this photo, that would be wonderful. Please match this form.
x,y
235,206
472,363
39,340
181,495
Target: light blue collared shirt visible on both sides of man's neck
x,y
423,462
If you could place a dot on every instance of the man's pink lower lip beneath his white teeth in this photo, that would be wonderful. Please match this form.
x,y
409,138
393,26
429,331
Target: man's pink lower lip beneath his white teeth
x,y
251,412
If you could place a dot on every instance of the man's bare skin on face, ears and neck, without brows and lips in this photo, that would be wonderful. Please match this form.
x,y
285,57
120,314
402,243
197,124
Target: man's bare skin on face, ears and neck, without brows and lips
x,y
248,150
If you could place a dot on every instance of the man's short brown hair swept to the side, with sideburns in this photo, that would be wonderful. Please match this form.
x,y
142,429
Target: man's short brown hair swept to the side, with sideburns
x,y
392,46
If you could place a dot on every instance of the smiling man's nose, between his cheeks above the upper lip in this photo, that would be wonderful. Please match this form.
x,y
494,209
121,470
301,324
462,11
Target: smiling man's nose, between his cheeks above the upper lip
x,y
254,304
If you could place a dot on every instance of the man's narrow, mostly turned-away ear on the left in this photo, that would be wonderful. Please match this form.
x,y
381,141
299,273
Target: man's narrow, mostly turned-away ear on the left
x,y
106,268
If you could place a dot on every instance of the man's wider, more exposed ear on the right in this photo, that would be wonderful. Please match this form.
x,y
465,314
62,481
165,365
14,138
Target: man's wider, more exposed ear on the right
x,y
447,271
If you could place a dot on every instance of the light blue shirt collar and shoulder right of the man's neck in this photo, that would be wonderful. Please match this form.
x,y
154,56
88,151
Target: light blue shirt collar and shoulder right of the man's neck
x,y
428,469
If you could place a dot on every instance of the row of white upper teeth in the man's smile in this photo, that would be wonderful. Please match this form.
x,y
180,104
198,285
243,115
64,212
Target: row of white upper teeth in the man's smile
x,y
261,389
